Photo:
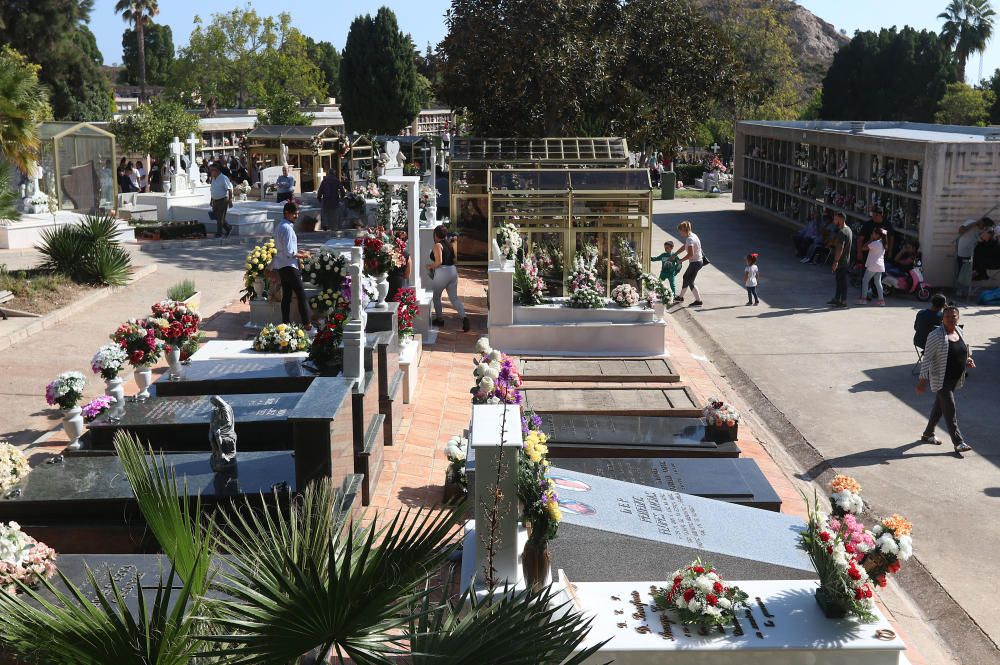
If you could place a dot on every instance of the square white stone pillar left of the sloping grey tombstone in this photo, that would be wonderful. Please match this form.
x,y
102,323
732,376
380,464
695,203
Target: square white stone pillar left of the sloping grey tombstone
x,y
496,438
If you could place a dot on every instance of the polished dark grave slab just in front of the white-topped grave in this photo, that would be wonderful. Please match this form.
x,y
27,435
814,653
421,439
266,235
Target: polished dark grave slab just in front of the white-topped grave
x,y
238,376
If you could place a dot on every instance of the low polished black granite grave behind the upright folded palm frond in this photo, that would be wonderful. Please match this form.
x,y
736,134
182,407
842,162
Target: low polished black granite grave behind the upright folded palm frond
x,y
85,504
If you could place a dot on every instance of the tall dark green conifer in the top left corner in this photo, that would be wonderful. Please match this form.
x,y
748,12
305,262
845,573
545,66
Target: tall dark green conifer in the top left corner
x,y
53,34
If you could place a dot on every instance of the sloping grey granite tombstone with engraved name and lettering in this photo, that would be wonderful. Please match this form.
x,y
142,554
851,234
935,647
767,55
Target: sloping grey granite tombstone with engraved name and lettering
x,y
616,531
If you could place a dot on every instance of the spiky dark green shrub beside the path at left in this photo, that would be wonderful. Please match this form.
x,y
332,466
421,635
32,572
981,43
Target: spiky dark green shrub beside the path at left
x,y
87,252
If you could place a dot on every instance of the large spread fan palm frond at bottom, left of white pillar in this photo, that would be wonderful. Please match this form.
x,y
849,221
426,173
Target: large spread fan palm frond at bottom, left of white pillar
x,y
298,583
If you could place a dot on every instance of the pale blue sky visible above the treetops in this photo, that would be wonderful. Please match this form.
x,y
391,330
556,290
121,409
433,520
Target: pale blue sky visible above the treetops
x,y
424,19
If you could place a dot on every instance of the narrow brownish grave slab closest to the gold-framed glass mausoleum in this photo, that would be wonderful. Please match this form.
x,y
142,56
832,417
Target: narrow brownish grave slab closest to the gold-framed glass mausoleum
x,y
585,370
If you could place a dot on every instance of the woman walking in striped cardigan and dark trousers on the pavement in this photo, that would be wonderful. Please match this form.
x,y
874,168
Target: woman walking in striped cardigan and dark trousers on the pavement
x,y
946,357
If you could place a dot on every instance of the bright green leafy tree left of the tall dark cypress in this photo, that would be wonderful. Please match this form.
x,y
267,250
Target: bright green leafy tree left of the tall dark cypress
x,y
240,56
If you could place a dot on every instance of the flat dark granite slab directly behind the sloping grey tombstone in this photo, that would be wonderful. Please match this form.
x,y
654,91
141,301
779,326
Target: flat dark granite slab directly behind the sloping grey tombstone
x,y
737,481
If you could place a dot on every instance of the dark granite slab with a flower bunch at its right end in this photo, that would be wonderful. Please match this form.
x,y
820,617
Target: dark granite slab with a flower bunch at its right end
x,y
630,436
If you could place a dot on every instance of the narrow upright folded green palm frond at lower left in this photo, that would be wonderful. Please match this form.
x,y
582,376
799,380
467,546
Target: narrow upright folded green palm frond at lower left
x,y
172,515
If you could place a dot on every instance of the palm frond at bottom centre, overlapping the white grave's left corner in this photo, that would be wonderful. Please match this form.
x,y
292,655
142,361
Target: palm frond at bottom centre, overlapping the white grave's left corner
x,y
502,628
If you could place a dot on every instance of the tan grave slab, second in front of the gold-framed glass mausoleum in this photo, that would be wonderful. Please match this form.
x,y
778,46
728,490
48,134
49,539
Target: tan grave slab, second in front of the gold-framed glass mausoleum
x,y
672,401
